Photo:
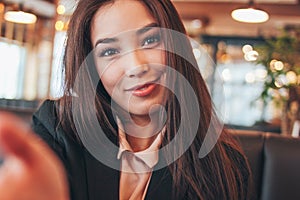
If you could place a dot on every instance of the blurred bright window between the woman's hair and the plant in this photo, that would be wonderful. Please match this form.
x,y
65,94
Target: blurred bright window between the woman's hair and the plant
x,y
237,83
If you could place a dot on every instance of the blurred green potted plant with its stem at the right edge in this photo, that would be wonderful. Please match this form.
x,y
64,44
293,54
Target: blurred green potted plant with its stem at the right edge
x,y
281,58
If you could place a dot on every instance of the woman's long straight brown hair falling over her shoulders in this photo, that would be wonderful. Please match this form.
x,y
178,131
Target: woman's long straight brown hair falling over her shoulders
x,y
223,173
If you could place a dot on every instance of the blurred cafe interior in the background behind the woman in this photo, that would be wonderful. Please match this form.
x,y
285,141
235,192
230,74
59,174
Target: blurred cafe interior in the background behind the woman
x,y
248,52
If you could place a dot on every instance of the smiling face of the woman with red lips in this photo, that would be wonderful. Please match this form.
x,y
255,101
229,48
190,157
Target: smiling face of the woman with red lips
x,y
129,55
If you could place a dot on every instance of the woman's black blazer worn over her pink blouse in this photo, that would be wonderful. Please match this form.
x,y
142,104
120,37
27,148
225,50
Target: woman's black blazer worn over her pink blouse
x,y
88,178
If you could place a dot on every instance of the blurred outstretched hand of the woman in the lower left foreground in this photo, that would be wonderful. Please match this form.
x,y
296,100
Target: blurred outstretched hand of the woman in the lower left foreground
x,y
30,170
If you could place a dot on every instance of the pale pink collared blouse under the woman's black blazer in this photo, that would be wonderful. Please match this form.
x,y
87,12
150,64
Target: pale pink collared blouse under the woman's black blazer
x,y
136,167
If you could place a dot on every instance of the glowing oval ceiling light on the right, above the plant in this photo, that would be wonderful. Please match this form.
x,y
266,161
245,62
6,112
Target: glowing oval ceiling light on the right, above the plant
x,y
250,14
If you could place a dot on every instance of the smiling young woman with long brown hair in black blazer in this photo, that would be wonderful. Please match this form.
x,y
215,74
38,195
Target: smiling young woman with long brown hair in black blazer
x,y
126,67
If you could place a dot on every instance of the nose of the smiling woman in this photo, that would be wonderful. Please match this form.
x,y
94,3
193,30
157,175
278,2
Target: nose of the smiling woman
x,y
136,63
